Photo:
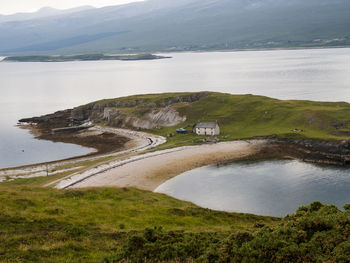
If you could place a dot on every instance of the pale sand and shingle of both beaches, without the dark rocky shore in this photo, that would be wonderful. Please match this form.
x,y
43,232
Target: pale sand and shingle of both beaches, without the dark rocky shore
x,y
133,166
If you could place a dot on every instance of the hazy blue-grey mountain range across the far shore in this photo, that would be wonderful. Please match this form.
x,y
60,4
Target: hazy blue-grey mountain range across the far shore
x,y
168,25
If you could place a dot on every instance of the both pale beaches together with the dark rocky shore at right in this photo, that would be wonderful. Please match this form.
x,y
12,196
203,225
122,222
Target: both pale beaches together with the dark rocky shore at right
x,y
129,167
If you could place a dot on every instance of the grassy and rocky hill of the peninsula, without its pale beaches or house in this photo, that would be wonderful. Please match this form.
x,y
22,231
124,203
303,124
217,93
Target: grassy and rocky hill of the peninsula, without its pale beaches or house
x,y
322,126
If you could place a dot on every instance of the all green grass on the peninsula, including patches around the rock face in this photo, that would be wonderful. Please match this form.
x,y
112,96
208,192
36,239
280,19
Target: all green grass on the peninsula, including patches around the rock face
x,y
247,116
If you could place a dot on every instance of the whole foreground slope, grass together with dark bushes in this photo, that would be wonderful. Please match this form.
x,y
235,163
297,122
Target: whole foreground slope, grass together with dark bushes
x,y
108,225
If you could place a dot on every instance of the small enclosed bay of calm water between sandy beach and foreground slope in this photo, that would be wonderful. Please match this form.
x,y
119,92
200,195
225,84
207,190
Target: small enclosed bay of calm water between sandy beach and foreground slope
x,y
272,188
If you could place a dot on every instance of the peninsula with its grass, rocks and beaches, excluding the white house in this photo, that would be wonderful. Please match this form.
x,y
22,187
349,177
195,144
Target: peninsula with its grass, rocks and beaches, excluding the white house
x,y
141,131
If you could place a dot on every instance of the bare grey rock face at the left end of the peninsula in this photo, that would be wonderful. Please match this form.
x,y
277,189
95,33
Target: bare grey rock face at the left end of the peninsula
x,y
150,114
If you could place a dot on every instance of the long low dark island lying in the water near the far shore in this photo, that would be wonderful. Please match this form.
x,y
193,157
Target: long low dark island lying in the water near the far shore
x,y
87,57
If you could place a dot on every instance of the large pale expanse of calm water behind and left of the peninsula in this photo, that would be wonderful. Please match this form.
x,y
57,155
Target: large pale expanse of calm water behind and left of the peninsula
x,y
30,89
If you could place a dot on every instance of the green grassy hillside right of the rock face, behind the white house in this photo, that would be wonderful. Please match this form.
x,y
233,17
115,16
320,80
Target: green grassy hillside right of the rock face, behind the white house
x,y
248,116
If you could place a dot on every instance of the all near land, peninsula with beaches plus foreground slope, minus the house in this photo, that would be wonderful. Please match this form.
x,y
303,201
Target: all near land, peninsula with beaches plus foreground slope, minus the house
x,y
128,222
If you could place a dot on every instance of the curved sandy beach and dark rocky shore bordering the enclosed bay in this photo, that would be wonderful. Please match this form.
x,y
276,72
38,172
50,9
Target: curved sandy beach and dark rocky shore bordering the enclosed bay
x,y
148,171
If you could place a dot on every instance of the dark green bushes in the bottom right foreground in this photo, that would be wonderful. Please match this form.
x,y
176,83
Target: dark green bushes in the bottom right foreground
x,y
315,233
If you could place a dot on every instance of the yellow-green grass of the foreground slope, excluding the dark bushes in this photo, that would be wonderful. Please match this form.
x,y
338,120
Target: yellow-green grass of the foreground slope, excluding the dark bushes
x,y
47,225
